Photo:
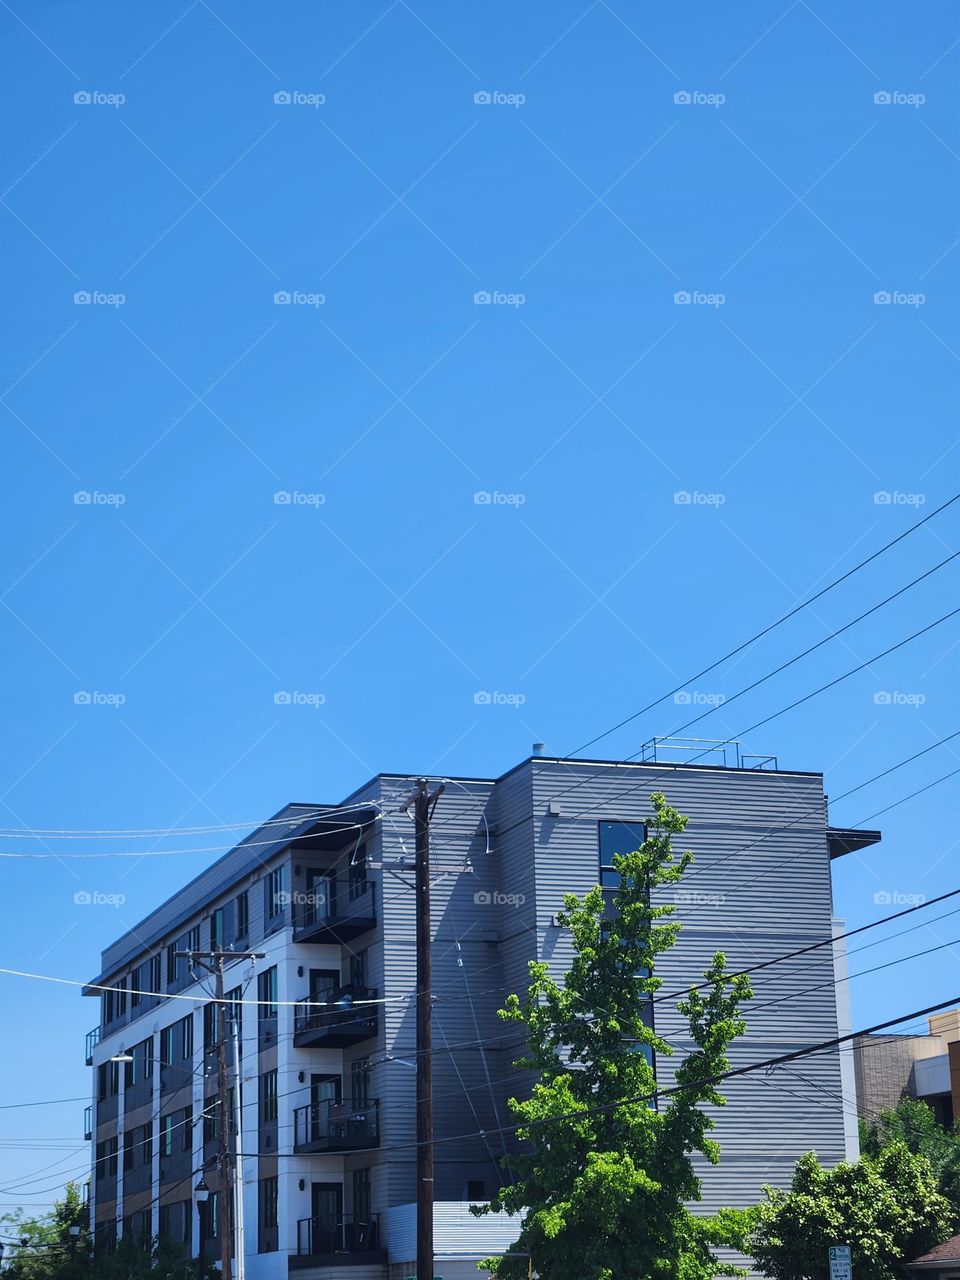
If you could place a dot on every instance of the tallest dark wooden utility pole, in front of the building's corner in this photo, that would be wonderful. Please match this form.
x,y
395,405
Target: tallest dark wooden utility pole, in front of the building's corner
x,y
424,806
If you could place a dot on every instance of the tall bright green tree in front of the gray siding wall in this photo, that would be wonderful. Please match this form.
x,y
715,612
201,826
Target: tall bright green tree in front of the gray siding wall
x,y
605,1177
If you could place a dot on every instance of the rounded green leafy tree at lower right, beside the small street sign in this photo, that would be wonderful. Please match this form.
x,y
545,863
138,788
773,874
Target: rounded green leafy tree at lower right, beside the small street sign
x,y
886,1208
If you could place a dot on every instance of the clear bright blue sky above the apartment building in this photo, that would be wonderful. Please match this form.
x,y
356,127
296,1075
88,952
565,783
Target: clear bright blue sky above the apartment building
x,y
381,164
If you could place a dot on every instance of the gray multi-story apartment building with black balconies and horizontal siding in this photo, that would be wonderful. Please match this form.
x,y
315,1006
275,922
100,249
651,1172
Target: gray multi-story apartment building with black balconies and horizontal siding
x,y
327,1018
